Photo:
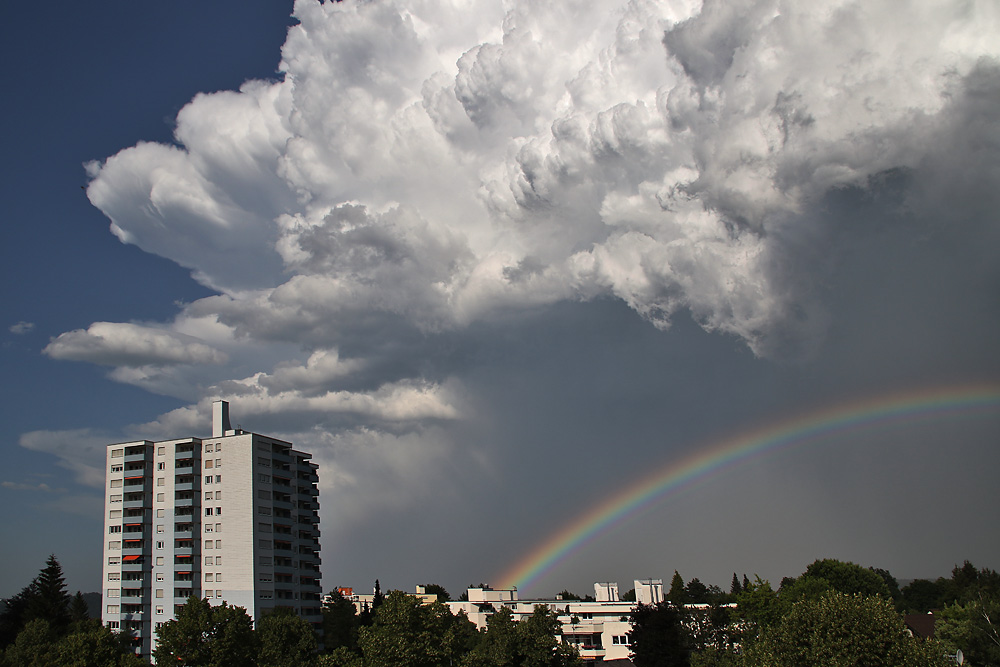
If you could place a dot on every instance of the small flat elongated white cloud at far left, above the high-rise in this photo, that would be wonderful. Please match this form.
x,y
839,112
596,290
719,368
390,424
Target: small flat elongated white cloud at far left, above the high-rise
x,y
131,345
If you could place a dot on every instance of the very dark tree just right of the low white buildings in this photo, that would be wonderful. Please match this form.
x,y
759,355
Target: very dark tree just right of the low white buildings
x,y
658,636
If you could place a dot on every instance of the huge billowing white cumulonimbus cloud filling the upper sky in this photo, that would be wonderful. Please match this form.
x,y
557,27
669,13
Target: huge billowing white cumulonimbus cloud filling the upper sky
x,y
657,152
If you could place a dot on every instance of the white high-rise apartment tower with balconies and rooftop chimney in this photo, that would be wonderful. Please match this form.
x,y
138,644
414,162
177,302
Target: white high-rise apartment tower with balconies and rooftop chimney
x,y
232,518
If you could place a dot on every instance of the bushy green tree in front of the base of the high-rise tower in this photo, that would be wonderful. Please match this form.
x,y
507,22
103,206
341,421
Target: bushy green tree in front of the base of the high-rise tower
x,y
203,635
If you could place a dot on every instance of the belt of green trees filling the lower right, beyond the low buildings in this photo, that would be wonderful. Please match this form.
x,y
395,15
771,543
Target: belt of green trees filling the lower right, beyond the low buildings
x,y
835,613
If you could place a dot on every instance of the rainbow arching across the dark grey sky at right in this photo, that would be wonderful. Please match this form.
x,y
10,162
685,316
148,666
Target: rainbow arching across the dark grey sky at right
x,y
883,410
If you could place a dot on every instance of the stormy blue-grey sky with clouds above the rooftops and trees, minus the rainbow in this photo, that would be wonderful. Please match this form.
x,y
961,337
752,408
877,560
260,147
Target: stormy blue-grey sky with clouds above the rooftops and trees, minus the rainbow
x,y
494,262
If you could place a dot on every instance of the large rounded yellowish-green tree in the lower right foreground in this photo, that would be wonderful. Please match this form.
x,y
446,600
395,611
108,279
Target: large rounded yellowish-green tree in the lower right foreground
x,y
841,630
